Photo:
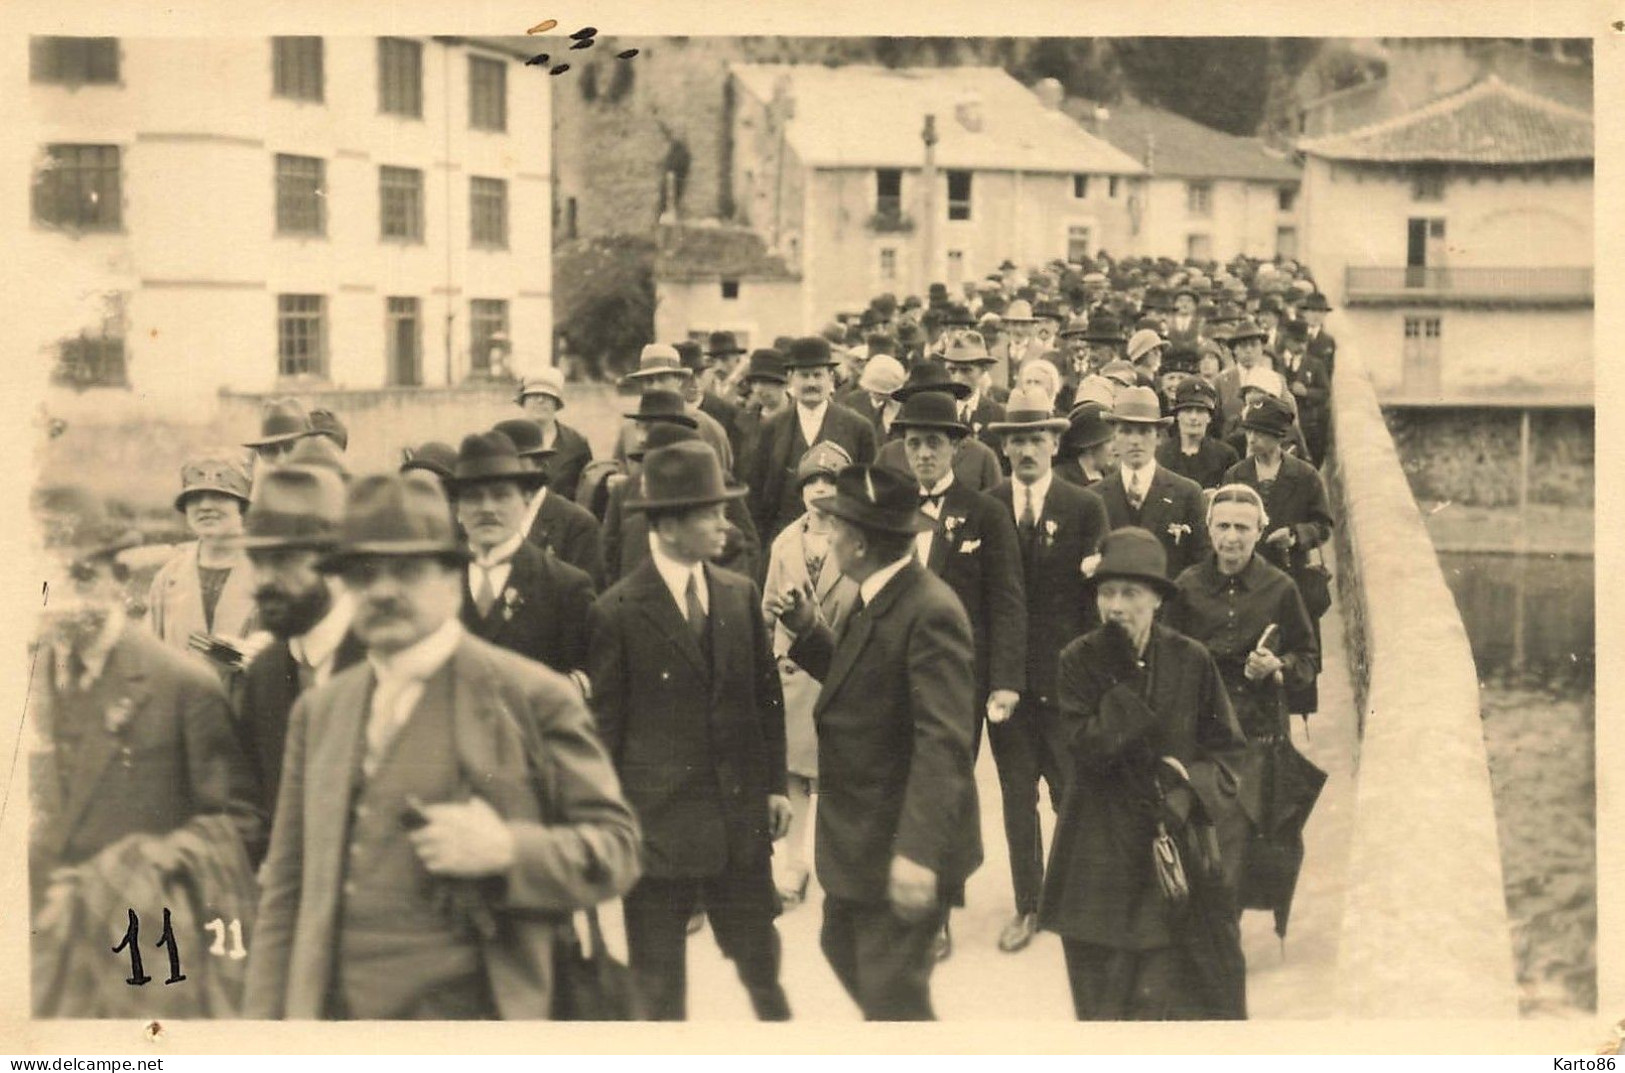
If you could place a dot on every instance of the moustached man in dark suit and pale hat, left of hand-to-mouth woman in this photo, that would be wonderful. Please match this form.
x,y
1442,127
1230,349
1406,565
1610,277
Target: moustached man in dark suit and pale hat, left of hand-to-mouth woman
x,y
1059,528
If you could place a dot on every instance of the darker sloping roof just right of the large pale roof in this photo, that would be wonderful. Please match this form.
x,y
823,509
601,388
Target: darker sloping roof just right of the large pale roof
x,y
1182,149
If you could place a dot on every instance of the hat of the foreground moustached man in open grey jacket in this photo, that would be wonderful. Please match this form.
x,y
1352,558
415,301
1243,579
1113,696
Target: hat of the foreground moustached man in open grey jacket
x,y
389,515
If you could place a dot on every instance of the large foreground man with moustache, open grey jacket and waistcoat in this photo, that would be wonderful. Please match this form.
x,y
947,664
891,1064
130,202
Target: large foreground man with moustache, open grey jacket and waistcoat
x,y
443,802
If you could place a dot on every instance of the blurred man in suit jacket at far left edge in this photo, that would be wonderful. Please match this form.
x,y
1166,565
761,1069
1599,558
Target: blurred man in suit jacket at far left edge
x,y
141,736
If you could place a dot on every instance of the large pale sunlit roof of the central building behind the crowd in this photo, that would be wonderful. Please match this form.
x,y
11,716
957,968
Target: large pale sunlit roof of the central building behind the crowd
x,y
864,116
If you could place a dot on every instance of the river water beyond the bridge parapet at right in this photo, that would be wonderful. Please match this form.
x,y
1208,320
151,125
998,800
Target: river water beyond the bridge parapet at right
x,y
1533,630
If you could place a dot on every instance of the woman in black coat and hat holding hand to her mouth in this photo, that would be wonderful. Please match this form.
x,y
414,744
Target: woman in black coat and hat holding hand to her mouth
x,y
1145,713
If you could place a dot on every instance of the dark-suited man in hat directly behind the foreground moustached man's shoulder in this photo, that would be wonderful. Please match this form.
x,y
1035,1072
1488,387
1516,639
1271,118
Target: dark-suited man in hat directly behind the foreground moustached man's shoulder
x,y
516,594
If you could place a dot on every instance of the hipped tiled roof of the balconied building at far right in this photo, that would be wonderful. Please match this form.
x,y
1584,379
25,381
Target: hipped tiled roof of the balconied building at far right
x,y
1489,123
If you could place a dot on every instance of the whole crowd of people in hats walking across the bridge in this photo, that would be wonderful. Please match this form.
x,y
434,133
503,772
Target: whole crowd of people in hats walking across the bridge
x,y
404,726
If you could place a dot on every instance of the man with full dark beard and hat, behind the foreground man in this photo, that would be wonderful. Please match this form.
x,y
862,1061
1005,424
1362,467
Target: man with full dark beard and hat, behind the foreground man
x,y
292,523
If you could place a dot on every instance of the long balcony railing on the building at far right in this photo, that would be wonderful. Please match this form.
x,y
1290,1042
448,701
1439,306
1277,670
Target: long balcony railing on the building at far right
x,y
1471,285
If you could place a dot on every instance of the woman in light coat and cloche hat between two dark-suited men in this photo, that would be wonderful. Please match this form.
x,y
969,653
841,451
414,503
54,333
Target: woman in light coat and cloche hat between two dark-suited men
x,y
800,560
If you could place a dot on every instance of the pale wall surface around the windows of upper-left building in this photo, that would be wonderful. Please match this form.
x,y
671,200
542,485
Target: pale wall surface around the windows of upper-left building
x,y
199,258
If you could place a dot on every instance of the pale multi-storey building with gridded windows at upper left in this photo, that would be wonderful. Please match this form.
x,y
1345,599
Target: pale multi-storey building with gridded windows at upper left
x,y
288,214
